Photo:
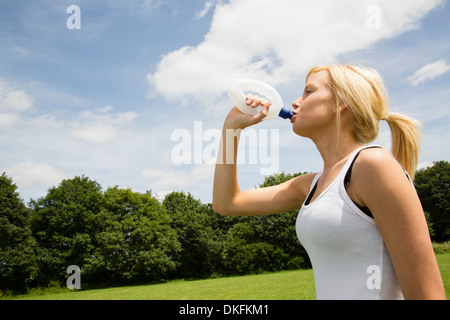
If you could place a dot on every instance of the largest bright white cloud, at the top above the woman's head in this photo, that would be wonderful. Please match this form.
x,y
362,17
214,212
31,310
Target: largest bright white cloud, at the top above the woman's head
x,y
276,41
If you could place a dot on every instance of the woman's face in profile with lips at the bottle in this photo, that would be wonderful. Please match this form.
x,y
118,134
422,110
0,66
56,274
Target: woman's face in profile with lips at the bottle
x,y
314,109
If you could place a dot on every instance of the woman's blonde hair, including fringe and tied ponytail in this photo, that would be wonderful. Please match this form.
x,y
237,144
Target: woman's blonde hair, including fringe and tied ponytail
x,y
363,91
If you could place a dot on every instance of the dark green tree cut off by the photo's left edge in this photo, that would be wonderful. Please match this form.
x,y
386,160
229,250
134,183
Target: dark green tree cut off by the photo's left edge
x,y
18,261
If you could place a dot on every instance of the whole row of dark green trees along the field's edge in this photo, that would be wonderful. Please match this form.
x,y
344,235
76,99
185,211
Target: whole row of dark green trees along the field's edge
x,y
120,237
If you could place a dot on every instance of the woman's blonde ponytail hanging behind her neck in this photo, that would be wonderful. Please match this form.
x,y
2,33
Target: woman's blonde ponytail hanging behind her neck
x,y
405,140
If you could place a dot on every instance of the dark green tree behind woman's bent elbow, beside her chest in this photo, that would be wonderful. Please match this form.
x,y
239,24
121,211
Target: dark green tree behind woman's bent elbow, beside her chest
x,y
265,243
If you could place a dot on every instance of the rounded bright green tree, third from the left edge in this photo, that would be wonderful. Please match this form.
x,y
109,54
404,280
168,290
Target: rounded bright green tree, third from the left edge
x,y
137,243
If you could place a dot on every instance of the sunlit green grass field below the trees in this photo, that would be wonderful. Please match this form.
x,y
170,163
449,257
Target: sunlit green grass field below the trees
x,y
288,285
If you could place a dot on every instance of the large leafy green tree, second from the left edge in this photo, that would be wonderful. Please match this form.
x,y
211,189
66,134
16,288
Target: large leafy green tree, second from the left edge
x,y
65,223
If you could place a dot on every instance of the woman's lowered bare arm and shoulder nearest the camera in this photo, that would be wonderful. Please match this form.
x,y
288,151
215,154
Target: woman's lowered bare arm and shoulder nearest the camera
x,y
382,185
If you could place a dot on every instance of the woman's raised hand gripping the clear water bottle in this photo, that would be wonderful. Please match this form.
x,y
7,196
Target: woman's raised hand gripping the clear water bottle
x,y
236,119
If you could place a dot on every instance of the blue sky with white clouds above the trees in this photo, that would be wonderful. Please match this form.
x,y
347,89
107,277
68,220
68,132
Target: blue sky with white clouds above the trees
x,y
134,93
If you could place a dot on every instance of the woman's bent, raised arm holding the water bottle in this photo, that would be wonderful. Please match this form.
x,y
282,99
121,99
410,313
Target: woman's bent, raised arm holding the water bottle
x,y
228,198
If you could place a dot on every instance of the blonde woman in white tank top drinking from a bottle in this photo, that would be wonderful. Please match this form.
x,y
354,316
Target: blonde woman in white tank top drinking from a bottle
x,y
361,220
